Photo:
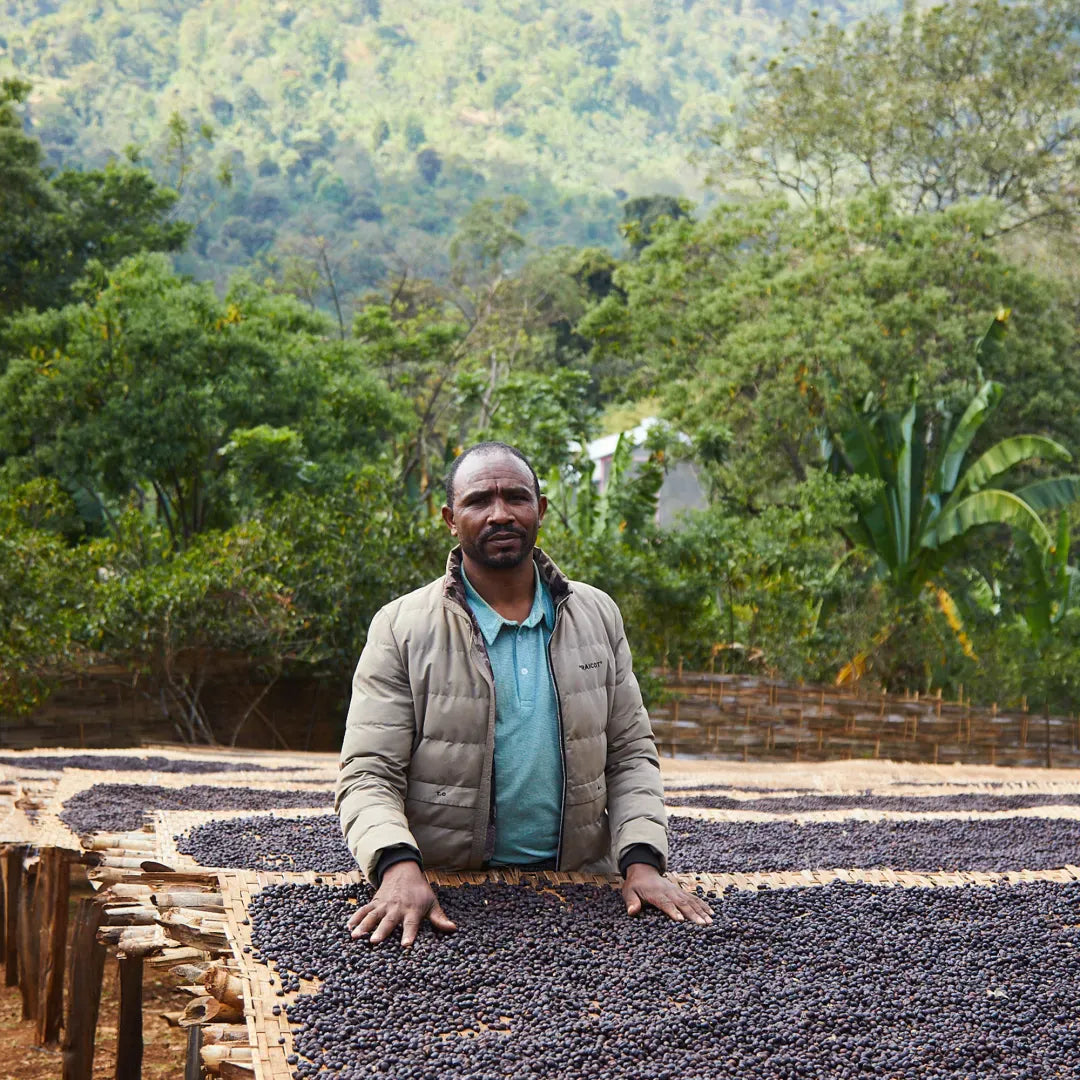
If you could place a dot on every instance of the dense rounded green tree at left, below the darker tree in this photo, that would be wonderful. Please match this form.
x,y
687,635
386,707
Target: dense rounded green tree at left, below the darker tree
x,y
138,389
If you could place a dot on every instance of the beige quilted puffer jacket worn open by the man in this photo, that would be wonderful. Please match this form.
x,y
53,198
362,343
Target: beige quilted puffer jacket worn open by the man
x,y
420,744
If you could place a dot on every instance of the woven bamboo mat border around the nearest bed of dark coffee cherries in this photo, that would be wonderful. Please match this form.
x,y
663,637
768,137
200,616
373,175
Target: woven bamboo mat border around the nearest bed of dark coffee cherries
x,y
265,1030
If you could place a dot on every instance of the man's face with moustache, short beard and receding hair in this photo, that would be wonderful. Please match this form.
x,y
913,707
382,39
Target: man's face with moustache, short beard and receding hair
x,y
496,514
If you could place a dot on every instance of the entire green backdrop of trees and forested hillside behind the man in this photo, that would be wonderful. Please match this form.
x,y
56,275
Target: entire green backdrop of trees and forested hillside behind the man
x,y
869,350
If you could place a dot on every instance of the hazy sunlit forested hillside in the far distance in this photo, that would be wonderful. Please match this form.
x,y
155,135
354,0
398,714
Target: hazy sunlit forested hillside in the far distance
x,y
376,124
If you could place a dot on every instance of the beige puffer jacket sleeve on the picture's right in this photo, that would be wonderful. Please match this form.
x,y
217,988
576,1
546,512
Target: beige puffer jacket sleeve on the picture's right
x,y
637,813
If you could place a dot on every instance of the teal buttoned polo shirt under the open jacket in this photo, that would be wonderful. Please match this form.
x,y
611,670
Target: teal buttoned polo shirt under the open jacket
x,y
529,759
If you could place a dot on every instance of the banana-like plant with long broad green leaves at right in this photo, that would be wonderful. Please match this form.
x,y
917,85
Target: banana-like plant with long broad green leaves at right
x,y
928,503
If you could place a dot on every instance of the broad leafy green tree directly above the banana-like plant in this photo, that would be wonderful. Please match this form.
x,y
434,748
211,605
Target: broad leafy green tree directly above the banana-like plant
x,y
762,323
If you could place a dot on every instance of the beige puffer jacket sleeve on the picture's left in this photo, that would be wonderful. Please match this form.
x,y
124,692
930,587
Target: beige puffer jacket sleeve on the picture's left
x,y
376,751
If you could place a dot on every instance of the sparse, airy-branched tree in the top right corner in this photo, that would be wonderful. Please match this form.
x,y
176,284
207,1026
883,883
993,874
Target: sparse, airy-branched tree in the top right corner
x,y
977,99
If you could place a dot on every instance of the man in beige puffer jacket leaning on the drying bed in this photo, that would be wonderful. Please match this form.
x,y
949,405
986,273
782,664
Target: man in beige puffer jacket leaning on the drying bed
x,y
496,722
